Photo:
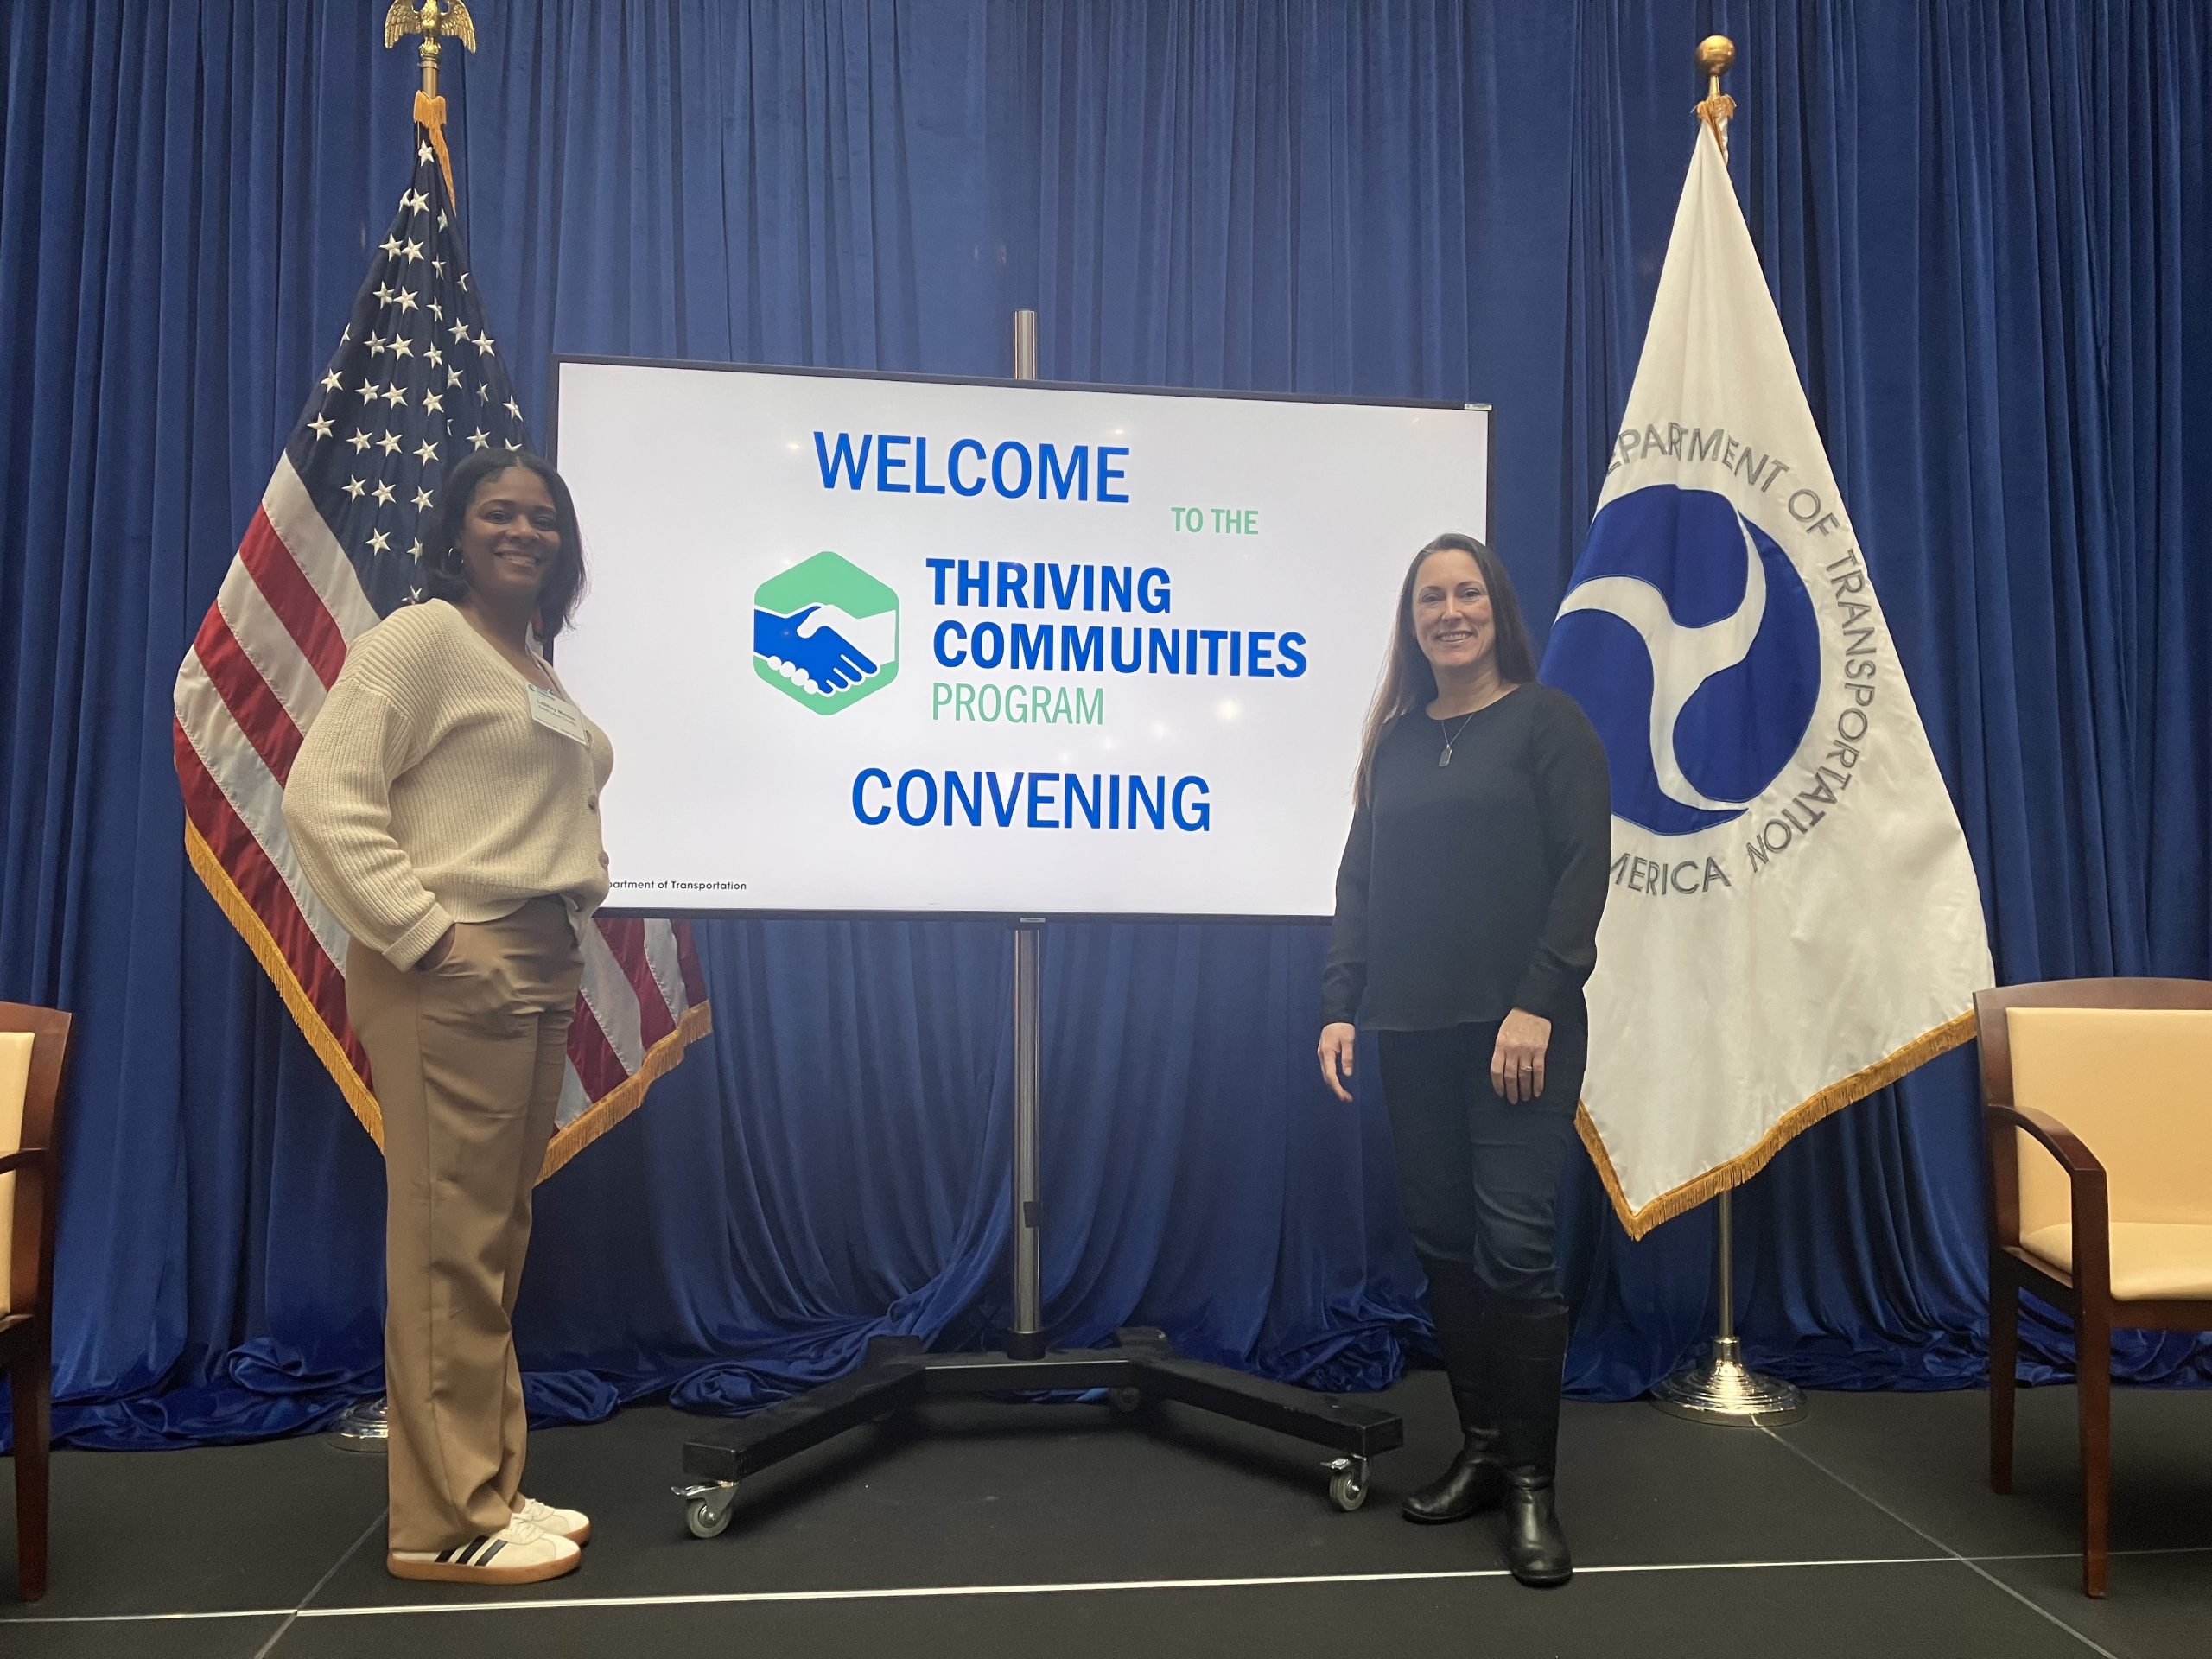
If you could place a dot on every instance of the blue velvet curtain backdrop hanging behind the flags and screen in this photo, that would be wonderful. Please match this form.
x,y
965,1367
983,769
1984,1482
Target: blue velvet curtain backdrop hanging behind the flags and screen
x,y
1987,229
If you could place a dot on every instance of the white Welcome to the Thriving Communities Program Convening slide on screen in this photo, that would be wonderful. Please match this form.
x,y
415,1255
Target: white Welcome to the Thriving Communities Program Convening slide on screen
x,y
873,645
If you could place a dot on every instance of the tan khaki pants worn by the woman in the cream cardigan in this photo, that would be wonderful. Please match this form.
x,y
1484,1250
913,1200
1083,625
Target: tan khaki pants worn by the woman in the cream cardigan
x,y
468,1065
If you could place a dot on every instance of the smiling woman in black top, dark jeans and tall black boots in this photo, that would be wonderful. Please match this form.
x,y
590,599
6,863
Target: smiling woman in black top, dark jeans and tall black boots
x,y
1465,930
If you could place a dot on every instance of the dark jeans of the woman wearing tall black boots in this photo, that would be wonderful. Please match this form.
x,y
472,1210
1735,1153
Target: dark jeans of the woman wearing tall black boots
x,y
1481,1178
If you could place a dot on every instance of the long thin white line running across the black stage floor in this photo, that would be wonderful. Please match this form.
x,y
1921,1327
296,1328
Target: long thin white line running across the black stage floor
x,y
1100,1587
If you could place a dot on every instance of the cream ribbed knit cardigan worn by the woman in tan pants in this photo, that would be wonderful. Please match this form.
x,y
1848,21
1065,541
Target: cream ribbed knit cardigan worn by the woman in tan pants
x,y
426,795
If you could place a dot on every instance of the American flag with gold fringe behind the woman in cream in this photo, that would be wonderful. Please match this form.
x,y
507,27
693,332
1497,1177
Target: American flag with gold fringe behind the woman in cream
x,y
417,382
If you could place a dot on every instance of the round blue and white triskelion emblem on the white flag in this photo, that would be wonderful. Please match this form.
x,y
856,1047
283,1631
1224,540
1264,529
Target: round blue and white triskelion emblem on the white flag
x,y
1691,643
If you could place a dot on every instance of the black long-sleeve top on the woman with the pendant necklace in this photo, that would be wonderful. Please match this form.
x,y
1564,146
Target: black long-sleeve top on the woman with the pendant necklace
x,y
1472,890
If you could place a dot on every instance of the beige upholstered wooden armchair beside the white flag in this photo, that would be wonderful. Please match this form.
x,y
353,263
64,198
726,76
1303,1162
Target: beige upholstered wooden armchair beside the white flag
x,y
2098,1112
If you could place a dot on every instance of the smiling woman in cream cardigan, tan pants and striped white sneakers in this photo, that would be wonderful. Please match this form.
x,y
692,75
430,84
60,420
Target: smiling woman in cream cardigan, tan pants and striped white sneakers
x,y
446,808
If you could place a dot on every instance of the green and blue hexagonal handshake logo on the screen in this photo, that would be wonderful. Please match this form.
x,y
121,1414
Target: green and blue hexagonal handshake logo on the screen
x,y
826,634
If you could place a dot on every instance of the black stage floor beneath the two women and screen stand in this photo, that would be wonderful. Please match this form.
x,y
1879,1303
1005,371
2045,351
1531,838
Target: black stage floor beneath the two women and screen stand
x,y
1067,1530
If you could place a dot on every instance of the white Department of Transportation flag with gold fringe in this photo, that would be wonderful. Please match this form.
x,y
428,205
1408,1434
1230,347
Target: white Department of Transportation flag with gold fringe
x,y
1795,919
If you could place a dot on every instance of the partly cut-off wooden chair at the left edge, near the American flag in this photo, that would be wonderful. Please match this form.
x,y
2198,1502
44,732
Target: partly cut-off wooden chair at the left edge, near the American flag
x,y
34,1052
